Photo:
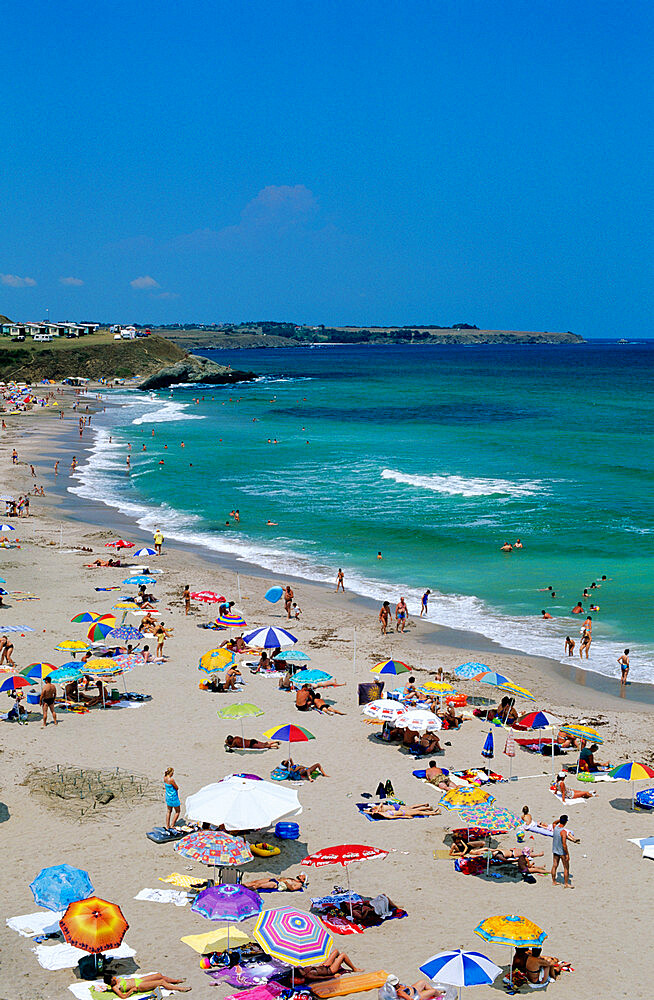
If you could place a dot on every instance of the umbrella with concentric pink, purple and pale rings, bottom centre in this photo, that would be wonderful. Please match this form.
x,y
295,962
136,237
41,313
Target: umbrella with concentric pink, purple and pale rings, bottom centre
x,y
293,936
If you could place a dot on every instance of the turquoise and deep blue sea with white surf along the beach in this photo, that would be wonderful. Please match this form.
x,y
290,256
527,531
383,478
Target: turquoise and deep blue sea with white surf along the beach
x,y
432,455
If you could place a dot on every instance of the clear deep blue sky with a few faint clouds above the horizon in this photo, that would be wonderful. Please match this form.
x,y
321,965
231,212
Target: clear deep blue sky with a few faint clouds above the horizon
x,y
338,162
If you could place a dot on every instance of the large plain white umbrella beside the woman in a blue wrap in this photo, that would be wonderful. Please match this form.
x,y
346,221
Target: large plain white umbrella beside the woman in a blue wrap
x,y
242,804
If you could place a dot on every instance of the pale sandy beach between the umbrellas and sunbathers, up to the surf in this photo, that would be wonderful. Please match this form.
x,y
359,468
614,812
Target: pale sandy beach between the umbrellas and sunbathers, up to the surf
x,y
600,928
